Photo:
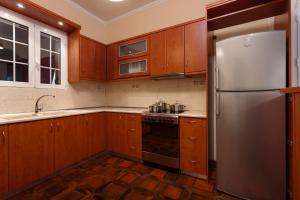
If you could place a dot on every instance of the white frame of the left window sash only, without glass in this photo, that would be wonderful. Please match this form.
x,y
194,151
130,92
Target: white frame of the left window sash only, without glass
x,y
25,21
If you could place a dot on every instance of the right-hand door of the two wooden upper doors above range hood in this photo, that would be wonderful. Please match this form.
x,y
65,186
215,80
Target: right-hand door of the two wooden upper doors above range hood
x,y
175,50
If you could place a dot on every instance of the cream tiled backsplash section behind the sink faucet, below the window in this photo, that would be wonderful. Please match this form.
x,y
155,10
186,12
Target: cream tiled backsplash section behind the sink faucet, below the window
x,y
84,94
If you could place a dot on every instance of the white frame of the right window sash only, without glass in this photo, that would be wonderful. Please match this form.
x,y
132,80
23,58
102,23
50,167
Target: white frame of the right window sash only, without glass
x,y
40,28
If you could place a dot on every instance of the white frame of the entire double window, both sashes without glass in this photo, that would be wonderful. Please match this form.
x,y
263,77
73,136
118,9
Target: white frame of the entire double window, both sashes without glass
x,y
34,29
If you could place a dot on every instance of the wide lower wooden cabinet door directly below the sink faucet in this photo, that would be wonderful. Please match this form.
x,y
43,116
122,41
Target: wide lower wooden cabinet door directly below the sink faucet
x,y
31,152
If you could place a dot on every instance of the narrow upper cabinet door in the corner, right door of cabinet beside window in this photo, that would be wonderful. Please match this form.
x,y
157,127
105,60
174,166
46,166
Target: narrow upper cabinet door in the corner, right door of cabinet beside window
x,y
100,62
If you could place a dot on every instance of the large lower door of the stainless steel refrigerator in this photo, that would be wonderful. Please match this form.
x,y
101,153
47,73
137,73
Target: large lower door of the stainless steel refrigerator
x,y
251,140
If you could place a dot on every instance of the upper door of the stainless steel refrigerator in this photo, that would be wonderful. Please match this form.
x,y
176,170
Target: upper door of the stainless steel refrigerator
x,y
252,62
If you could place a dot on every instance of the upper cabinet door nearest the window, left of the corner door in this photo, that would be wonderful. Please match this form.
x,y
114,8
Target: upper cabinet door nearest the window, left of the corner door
x,y
87,58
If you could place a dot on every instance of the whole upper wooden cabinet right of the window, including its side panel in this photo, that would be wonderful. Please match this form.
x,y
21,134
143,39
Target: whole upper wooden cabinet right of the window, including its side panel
x,y
87,59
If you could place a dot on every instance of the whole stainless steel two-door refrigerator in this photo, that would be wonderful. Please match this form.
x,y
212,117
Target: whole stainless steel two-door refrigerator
x,y
250,116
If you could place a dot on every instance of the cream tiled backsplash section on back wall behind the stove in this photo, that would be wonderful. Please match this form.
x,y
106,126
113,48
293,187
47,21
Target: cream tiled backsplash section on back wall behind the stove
x,y
142,93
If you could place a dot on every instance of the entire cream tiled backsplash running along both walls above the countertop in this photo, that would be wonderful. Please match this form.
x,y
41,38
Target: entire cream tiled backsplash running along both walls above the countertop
x,y
190,92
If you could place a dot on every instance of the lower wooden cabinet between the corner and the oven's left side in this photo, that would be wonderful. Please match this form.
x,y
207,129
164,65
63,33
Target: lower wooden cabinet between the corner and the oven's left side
x,y
124,134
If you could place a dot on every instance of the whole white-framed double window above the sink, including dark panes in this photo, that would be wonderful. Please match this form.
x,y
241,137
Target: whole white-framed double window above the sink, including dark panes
x,y
31,53
